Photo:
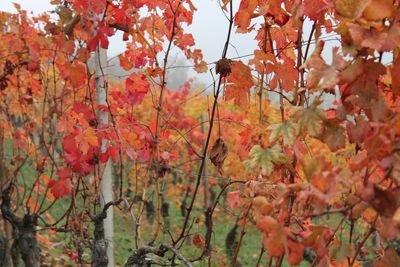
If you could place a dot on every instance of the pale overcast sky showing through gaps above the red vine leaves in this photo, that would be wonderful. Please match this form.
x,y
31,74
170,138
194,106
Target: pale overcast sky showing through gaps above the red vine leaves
x,y
209,29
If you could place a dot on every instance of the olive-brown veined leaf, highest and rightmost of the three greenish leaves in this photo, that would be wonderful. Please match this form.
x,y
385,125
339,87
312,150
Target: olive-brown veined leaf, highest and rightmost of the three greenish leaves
x,y
310,120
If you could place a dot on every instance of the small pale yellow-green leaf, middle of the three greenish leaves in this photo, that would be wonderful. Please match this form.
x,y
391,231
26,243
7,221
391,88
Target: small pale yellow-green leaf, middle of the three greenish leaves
x,y
287,130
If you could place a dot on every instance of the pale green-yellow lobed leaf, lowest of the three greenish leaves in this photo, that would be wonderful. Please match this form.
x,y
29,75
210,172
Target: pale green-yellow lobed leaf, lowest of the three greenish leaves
x,y
265,159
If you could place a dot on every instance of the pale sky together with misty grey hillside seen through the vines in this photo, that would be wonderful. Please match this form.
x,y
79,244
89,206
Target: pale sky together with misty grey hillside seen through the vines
x,y
209,29
